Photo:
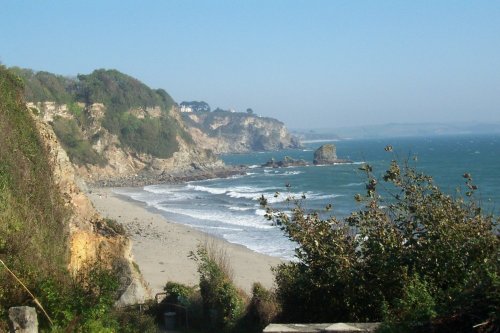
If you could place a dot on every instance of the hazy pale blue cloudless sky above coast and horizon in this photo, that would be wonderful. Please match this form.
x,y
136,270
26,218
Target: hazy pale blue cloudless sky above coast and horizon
x,y
309,63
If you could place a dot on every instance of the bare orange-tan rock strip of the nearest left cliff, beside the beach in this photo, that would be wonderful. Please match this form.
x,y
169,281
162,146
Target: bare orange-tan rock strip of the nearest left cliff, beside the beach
x,y
91,238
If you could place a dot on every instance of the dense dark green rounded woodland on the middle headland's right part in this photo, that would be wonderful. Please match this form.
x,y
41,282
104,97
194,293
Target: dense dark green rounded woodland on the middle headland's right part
x,y
121,93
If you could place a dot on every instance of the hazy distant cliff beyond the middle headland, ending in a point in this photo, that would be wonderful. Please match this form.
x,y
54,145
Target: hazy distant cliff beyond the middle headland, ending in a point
x,y
227,132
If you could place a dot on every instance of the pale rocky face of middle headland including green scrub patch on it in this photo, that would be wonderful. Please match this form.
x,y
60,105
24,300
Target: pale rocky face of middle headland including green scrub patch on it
x,y
100,154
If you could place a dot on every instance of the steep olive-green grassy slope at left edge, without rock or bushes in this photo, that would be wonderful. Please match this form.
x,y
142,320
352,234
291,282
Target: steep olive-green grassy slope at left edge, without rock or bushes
x,y
32,216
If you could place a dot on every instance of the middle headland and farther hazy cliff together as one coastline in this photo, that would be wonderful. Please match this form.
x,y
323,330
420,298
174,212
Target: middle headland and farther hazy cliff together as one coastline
x,y
114,126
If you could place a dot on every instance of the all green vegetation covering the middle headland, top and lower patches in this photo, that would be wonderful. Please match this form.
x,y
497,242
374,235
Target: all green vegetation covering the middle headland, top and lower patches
x,y
119,93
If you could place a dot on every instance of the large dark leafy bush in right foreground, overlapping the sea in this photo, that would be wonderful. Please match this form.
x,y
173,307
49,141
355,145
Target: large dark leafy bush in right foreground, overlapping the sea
x,y
421,259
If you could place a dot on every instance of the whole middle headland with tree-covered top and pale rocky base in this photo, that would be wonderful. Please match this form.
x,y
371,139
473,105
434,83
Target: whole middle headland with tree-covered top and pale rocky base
x,y
113,126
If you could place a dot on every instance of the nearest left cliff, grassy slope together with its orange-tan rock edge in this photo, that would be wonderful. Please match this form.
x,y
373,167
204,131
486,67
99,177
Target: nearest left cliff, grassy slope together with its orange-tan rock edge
x,y
48,227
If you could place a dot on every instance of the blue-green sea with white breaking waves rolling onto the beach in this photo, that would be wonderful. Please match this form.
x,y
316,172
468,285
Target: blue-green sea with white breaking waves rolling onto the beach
x,y
229,208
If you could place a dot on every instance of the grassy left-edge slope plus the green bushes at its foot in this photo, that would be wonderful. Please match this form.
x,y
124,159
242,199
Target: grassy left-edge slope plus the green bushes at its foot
x,y
34,235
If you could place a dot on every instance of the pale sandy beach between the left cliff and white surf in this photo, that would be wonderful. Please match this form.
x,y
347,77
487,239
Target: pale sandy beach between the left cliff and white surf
x,y
161,247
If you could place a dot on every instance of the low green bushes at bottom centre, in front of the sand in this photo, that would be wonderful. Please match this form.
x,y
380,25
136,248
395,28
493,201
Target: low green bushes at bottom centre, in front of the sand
x,y
216,305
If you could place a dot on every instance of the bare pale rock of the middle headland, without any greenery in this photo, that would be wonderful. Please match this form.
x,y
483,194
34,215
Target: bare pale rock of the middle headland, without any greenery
x,y
120,160
